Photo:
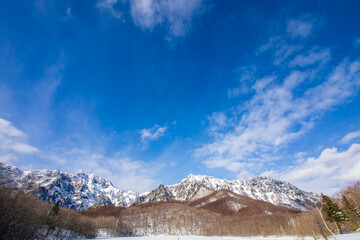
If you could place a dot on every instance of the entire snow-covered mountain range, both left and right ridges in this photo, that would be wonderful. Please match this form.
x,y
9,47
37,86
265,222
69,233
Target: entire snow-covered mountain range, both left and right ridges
x,y
80,191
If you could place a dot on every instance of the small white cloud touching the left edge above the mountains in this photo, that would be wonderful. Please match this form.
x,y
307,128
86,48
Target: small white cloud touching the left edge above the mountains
x,y
13,142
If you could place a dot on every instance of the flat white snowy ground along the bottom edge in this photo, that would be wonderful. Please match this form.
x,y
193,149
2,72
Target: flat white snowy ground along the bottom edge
x,y
352,236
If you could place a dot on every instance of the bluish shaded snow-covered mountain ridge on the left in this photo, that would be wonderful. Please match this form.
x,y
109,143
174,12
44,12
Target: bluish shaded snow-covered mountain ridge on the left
x,y
78,191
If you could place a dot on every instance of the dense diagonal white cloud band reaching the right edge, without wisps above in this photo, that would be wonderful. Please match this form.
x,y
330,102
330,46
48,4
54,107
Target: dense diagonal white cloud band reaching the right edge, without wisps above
x,y
278,114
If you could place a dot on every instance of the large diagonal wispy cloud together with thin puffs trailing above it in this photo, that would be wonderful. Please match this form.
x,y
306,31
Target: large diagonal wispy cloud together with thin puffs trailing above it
x,y
283,105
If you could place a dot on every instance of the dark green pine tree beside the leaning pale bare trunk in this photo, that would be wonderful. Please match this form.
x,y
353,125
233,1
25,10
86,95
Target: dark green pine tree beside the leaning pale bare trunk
x,y
332,212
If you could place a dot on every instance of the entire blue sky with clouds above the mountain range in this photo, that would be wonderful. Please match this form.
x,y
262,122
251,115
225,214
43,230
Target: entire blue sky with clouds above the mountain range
x,y
144,92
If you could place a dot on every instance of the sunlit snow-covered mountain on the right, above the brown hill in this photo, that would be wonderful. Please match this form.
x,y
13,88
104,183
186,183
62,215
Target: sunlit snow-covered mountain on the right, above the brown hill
x,y
277,192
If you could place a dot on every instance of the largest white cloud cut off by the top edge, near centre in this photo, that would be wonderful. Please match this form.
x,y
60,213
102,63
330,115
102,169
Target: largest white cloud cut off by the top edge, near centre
x,y
176,14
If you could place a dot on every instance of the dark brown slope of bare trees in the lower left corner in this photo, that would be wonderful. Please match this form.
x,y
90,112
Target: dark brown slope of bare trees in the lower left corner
x,y
24,217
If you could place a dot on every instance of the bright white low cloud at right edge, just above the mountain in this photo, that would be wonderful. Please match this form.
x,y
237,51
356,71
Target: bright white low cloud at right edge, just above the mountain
x,y
332,170
